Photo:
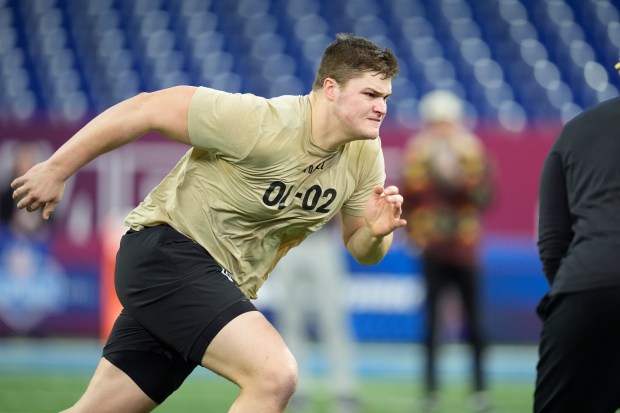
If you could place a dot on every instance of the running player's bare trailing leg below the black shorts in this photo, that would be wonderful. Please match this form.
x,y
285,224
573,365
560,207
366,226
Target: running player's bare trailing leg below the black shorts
x,y
111,390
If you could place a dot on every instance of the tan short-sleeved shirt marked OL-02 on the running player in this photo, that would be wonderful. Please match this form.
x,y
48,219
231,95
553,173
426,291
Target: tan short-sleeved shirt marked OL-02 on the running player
x,y
253,185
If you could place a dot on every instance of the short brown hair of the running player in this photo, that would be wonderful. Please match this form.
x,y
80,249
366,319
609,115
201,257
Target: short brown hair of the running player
x,y
349,56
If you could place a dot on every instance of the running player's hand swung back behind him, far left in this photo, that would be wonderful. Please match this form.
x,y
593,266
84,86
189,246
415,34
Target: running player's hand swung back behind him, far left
x,y
40,187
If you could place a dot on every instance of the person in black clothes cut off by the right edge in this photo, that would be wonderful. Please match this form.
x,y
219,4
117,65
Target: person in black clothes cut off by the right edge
x,y
579,242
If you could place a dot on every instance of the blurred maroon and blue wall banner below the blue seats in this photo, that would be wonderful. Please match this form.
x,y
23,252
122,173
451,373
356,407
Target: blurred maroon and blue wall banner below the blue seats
x,y
67,289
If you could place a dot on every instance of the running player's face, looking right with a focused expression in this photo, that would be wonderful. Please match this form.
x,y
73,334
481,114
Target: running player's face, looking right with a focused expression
x,y
361,105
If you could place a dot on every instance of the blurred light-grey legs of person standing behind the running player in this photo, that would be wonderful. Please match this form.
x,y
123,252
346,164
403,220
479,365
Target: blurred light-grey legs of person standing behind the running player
x,y
312,280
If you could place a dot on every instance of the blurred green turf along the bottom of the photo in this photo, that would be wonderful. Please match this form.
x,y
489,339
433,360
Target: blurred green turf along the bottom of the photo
x,y
52,393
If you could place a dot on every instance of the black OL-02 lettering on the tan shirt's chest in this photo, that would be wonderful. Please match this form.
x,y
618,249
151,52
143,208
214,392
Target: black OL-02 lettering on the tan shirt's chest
x,y
278,193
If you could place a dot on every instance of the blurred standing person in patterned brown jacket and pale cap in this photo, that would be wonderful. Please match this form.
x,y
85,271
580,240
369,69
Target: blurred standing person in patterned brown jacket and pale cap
x,y
446,185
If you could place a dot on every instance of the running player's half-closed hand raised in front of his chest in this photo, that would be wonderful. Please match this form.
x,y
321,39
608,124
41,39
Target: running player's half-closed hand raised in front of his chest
x,y
383,210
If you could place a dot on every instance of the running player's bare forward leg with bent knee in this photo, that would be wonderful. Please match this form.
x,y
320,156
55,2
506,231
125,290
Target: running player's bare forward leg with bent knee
x,y
250,352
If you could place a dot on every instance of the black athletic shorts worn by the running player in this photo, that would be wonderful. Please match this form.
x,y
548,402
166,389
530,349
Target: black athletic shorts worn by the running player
x,y
175,299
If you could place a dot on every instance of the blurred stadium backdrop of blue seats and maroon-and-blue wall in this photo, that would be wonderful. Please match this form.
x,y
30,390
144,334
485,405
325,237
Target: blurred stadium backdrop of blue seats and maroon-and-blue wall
x,y
524,67
